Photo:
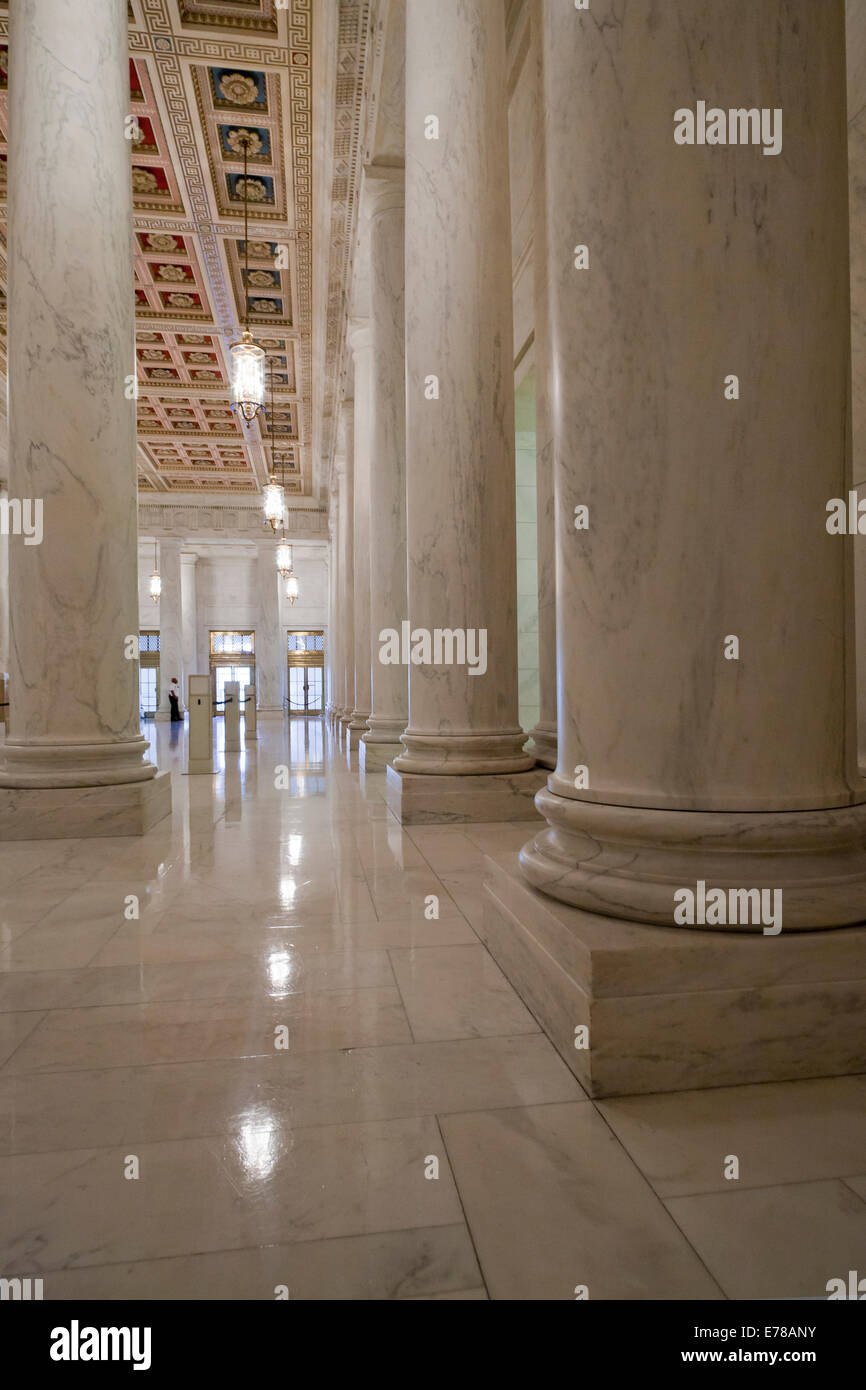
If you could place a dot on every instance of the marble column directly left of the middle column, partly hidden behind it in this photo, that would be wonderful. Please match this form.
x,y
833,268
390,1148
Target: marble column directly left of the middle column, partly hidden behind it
x,y
389,597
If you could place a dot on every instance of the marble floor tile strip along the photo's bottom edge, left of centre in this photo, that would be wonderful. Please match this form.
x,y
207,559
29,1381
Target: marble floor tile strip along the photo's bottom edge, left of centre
x,y
426,1263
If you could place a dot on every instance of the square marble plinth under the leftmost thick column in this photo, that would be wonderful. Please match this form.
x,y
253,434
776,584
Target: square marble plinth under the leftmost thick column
x,y
84,812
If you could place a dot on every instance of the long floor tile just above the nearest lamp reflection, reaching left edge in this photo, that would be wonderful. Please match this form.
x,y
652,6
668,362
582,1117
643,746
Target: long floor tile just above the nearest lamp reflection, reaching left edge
x,y
44,1111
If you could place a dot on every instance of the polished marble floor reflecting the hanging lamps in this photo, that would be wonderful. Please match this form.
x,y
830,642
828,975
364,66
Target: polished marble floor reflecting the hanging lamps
x,y
241,1054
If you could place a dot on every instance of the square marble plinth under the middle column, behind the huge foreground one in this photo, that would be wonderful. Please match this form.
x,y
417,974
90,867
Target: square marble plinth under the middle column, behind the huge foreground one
x,y
429,800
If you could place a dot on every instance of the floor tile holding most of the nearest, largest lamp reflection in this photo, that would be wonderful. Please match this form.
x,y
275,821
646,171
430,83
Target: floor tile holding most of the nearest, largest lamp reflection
x,y
258,1185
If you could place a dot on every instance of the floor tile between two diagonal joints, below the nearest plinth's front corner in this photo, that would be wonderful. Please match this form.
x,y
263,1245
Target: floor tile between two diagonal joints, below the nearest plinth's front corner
x,y
546,1189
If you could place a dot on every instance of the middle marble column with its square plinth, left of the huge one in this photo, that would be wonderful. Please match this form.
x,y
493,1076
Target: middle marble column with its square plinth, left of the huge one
x,y
464,730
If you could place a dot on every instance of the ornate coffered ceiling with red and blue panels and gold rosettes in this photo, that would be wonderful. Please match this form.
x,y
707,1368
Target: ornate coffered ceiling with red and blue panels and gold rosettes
x,y
201,73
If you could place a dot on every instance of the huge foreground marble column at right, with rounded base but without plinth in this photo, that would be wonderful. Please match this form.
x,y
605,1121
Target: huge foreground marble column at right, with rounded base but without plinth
x,y
707,704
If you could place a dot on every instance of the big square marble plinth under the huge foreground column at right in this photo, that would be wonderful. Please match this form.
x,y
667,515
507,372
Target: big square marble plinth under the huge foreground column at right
x,y
672,1010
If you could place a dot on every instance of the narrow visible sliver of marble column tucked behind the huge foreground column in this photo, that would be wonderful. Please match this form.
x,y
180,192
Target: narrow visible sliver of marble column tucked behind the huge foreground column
x,y
544,735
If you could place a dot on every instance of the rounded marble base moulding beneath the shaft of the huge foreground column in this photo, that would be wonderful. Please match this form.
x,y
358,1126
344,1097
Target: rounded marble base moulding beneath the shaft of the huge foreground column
x,y
629,862
